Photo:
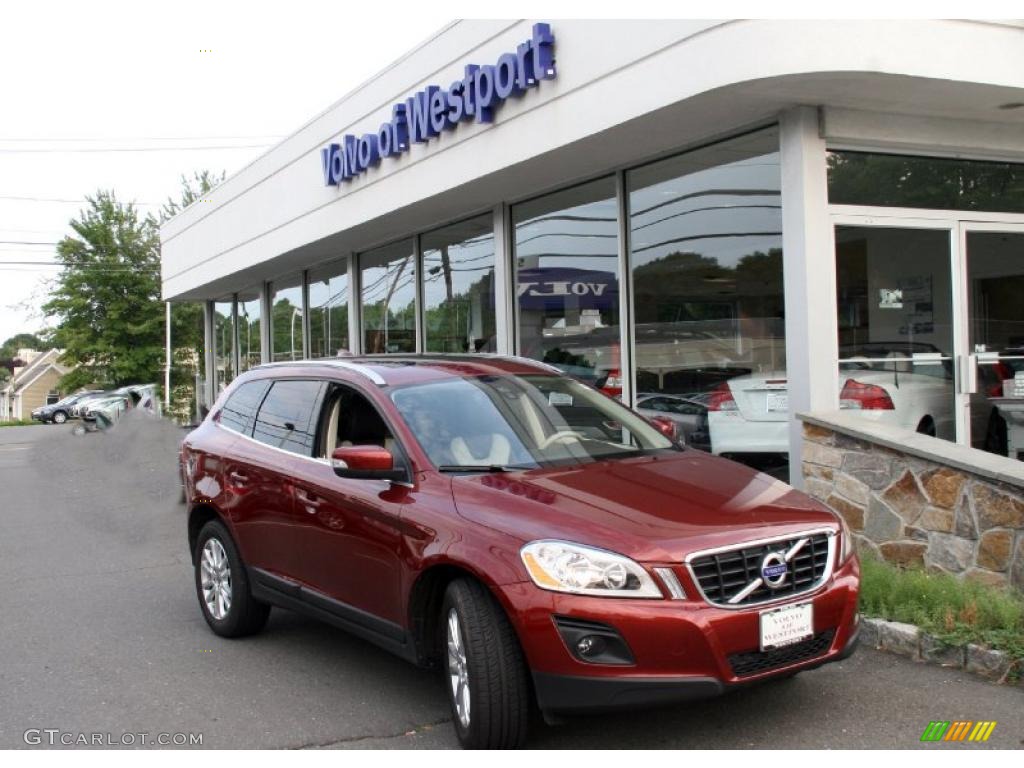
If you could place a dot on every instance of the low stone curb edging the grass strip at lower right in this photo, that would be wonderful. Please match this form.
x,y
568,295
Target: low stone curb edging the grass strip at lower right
x,y
911,642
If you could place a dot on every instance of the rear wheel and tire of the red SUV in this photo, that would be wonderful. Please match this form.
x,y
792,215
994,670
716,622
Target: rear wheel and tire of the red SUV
x,y
234,612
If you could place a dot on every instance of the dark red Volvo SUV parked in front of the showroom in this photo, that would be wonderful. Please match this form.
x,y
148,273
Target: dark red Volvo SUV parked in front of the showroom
x,y
531,536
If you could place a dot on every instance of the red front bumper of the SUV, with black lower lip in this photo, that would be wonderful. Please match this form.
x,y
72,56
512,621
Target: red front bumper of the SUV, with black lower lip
x,y
682,650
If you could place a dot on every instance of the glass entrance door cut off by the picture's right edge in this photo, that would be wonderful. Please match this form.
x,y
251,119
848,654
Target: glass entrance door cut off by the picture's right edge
x,y
994,370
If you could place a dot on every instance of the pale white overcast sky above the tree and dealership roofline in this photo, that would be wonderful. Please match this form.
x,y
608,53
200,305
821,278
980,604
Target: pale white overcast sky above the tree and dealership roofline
x,y
118,97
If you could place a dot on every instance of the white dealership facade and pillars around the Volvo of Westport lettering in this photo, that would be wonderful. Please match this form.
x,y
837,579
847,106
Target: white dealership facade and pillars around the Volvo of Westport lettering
x,y
626,94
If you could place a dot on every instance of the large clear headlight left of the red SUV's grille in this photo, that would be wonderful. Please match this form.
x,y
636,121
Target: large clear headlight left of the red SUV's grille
x,y
563,567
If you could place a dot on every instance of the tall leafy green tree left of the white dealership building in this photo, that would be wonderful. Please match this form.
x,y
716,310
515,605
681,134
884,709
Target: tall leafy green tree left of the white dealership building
x,y
107,298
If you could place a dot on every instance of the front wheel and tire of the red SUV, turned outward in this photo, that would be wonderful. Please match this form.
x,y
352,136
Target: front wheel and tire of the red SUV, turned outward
x,y
486,674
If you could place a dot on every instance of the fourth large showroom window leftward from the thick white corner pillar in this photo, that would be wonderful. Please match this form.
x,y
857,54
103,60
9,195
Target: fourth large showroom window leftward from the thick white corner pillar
x,y
388,280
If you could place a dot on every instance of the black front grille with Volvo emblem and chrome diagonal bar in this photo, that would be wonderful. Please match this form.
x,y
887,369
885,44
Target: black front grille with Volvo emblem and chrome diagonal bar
x,y
724,575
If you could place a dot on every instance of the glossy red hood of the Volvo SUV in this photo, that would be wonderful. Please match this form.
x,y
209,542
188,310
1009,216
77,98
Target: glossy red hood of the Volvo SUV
x,y
653,508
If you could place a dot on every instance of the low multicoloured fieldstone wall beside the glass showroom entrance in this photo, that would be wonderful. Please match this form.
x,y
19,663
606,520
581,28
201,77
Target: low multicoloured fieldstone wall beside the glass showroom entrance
x,y
917,510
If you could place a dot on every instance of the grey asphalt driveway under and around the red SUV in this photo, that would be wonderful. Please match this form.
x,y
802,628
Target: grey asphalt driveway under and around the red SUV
x,y
101,633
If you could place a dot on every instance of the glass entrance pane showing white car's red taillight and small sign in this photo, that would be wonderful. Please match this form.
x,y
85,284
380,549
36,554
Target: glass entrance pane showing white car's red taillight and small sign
x,y
895,309
